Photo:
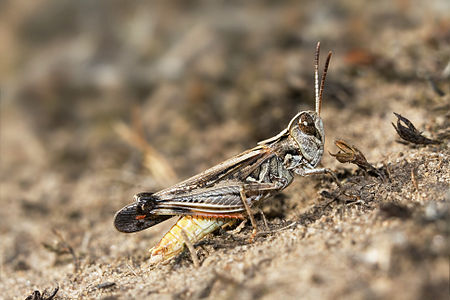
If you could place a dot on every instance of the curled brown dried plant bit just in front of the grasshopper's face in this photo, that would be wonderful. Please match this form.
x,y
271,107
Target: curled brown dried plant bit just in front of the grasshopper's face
x,y
351,154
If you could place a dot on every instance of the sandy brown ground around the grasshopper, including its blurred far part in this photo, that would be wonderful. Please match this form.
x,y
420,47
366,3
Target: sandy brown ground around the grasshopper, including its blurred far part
x,y
101,101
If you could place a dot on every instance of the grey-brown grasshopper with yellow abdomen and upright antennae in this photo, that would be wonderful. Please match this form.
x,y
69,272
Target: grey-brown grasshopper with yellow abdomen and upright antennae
x,y
229,190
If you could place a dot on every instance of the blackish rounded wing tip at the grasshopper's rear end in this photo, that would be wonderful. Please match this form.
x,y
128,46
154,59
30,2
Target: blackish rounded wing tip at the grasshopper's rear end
x,y
128,220
